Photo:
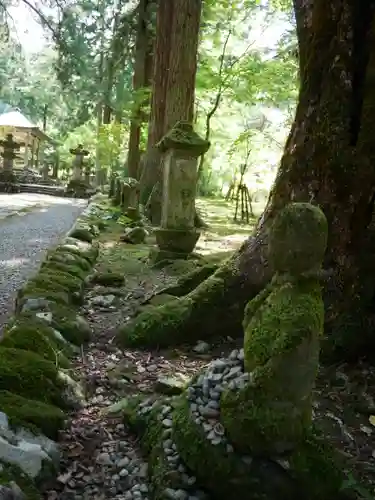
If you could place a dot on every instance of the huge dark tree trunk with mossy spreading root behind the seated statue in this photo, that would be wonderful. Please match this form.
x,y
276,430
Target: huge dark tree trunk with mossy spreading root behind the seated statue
x,y
329,160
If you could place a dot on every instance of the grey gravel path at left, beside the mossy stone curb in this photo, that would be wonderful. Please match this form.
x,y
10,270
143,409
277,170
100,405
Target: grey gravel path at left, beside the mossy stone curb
x,y
25,239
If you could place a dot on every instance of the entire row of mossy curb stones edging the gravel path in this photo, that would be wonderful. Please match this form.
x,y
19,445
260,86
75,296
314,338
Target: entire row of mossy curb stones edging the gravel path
x,y
25,457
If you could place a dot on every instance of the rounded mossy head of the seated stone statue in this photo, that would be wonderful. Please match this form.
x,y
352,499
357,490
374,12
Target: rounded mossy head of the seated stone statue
x,y
298,239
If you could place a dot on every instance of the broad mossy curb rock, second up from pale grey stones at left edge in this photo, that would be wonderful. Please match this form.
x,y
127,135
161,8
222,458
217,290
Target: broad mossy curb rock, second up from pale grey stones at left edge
x,y
29,375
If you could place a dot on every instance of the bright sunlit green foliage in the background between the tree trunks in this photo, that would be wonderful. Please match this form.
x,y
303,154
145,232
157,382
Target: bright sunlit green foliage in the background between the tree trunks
x,y
247,69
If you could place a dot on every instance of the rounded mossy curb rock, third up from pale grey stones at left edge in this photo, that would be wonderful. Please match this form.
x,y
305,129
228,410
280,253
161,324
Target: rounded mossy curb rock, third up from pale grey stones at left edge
x,y
30,336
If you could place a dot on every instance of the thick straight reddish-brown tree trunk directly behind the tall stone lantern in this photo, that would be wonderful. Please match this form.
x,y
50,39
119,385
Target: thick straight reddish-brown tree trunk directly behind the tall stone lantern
x,y
174,86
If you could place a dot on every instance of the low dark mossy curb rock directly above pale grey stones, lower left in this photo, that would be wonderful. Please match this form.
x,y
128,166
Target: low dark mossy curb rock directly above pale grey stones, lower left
x,y
32,414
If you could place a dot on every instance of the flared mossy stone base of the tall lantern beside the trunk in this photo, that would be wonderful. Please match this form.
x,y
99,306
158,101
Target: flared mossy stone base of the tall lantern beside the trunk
x,y
174,243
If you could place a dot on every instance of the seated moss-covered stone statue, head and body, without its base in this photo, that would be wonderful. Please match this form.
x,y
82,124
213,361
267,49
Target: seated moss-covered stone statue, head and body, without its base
x,y
282,327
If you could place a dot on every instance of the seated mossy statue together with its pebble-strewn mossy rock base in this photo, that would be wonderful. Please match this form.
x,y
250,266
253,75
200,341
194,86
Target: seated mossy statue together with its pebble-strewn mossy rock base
x,y
243,426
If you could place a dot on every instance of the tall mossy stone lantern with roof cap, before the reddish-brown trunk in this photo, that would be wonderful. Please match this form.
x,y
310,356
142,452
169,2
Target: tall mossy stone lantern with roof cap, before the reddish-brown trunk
x,y
181,148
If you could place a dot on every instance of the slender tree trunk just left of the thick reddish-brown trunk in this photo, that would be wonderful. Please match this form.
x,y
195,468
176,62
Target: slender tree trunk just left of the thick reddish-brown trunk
x,y
141,80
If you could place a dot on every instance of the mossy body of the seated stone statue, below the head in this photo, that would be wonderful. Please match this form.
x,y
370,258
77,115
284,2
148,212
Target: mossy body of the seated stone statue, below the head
x,y
282,354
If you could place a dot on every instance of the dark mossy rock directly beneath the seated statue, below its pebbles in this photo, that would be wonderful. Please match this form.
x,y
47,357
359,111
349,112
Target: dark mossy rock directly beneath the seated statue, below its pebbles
x,y
312,472
